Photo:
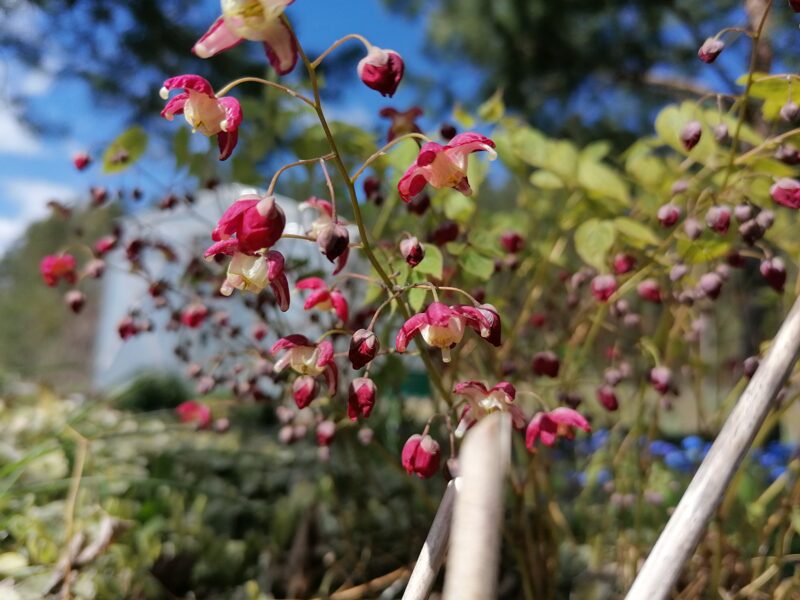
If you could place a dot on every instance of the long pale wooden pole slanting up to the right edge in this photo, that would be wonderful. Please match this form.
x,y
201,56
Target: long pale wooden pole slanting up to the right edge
x,y
705,492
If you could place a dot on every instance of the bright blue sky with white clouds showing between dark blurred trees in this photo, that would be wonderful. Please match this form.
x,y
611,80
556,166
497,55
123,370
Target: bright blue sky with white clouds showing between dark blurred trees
x,y
36,166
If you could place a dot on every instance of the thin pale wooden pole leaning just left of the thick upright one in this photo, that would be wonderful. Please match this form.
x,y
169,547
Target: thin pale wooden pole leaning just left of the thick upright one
x,y
433,551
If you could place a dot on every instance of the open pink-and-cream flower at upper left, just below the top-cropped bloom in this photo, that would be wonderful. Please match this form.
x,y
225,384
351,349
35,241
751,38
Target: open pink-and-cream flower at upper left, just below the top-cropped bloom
x,y
204,111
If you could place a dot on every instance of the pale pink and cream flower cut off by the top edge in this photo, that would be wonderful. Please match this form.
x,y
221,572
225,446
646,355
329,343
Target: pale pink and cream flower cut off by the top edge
x,y
254,20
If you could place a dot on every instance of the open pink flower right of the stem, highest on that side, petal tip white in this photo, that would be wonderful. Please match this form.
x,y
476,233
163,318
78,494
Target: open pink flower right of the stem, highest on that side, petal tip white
x,y
444,166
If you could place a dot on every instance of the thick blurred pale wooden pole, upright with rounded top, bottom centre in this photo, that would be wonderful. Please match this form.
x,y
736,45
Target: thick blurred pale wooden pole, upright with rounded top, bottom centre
x,y
474,551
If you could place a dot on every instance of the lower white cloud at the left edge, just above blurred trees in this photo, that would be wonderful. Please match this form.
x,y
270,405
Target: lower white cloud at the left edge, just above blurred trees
x,y
24,201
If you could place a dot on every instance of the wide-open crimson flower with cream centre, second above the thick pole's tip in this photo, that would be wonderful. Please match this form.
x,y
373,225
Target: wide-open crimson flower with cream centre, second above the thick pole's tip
x,y
443,326
